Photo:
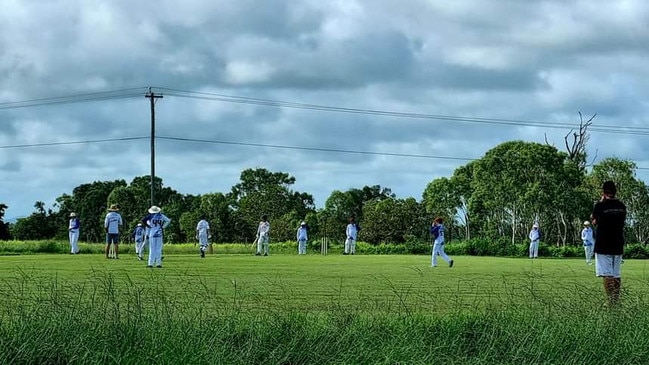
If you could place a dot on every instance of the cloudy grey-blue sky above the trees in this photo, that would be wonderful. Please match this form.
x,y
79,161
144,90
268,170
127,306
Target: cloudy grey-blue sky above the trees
x,y
339,94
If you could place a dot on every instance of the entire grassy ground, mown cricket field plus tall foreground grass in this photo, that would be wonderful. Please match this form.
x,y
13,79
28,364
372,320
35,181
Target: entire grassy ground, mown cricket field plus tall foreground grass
x,y
289,309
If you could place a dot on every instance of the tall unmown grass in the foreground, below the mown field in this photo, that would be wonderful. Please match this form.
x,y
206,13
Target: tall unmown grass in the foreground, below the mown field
x,y
57,322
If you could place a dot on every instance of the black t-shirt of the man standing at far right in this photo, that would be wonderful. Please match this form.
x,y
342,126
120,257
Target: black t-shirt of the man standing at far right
x,y
610,215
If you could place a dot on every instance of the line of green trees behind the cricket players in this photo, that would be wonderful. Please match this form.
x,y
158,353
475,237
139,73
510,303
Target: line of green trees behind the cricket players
x,y
502,194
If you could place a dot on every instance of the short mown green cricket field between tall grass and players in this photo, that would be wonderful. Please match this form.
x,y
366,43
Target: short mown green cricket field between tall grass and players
x,y
313,282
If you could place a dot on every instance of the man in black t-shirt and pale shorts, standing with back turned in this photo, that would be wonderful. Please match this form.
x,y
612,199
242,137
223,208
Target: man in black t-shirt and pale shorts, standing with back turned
x,y
609,214
